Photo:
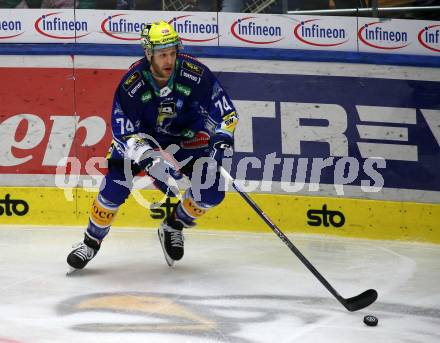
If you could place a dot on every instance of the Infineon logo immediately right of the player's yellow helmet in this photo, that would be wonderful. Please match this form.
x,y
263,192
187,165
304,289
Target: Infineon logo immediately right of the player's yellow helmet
x,y
193,31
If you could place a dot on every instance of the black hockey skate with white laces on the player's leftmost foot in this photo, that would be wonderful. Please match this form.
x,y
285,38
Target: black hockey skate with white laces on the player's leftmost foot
x,y
82,253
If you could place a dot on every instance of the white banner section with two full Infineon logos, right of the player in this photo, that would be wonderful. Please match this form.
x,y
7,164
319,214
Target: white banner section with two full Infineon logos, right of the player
x,y
288,32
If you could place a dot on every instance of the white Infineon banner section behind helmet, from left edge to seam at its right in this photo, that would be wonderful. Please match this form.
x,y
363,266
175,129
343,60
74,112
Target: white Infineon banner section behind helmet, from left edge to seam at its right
x,y
106,27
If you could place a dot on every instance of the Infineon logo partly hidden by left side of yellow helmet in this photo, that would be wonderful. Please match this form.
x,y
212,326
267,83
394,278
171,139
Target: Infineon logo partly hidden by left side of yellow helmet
x,y
118,27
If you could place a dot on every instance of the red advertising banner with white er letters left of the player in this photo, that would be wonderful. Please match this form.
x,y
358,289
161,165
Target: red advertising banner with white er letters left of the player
x,y
48,114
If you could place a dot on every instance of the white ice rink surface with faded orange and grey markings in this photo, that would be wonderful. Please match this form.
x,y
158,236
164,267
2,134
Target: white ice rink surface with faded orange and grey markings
x,y
229,287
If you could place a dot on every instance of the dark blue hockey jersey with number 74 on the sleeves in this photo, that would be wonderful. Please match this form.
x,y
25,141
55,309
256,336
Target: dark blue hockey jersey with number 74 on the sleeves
x,y
192,101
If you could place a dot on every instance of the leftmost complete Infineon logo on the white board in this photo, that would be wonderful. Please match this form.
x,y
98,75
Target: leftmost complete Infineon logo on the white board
x,y
54,26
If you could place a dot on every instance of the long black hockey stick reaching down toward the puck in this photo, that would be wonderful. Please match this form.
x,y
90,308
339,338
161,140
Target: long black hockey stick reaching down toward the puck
x,y
352,304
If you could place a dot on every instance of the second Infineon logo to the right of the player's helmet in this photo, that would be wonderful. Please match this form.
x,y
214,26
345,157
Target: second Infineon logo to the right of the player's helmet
x,y
248,30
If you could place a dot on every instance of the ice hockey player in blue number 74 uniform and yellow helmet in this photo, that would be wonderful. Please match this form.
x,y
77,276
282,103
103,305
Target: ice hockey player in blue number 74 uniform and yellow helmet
x,y
165,98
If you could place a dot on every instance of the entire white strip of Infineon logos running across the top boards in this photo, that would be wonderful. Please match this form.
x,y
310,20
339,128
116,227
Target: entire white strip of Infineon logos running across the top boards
x,y
323,33
